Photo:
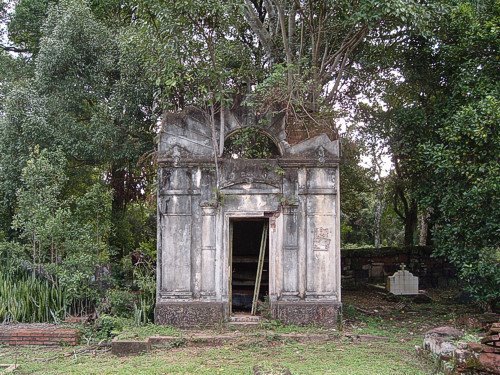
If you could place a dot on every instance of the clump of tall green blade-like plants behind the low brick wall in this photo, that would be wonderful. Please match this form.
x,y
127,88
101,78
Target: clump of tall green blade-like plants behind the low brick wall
x,y
28,299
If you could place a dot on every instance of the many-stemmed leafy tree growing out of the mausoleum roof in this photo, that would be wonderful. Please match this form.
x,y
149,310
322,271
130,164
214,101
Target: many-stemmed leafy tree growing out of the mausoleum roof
x,y
298,50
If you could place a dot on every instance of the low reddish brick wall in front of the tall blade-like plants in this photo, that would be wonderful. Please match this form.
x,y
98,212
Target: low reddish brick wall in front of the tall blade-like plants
x,y
36,334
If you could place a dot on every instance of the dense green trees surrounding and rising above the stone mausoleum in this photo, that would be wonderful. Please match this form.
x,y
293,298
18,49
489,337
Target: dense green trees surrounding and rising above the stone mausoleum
x,y
83,85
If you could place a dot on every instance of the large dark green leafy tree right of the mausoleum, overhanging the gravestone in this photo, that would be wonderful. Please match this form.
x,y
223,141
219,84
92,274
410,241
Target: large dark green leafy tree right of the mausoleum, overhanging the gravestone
x,y
441,126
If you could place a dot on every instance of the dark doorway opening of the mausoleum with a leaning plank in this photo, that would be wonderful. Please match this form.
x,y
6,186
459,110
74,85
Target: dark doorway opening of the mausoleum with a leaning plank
x,y
247,237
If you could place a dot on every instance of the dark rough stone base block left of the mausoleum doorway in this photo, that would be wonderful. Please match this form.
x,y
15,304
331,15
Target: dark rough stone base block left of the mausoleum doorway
x,y
190,313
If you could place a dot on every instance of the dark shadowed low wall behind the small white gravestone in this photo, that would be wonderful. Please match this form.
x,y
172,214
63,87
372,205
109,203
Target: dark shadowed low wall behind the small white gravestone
x,y
374,265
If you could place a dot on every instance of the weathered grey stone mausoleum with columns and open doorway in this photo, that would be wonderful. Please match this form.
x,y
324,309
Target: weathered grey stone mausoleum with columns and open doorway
x,y
211,226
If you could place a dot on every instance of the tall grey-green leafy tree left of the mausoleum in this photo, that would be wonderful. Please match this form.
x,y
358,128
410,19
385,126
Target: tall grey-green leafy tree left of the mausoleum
x,y
86,95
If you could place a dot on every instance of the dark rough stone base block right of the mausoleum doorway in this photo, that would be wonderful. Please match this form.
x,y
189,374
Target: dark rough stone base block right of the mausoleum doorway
x,y
321,313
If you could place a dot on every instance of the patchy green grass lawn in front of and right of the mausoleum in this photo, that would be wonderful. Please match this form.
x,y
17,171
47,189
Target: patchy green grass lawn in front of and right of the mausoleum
x,y
266,351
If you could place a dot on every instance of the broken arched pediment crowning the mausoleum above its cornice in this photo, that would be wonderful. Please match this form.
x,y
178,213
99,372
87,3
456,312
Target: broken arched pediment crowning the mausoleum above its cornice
x,y
187,135
